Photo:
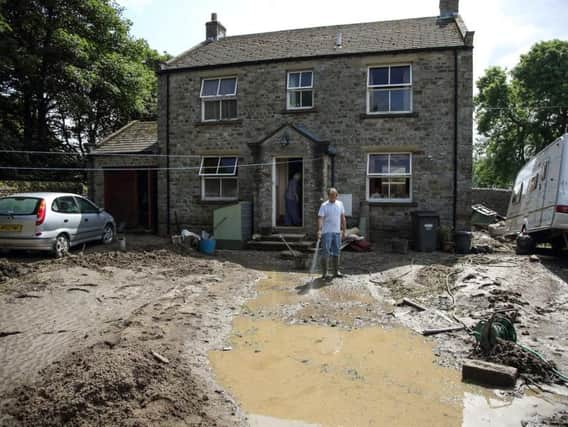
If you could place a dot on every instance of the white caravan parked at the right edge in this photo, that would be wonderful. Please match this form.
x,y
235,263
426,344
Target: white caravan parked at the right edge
x,y
539,203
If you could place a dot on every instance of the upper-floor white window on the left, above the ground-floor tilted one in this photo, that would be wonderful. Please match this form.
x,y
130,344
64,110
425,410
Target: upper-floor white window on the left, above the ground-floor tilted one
x,y
219,99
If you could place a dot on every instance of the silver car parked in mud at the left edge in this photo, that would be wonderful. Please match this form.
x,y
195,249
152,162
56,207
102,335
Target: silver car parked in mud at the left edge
x,y
52,222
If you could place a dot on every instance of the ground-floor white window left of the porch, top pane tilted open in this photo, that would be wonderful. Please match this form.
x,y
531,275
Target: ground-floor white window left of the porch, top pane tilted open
x,y
219,179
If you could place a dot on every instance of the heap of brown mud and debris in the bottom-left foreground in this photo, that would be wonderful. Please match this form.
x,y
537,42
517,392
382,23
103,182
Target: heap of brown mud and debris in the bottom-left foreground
x,y
129,383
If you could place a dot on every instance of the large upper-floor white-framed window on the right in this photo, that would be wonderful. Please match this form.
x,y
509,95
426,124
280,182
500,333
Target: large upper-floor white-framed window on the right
x,y
389,89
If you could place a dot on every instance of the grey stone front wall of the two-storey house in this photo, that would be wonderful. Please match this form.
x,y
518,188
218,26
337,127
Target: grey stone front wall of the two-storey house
x,y
339,118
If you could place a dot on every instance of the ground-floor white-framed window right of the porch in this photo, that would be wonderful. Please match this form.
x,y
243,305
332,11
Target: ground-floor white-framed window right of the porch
x,y
389,177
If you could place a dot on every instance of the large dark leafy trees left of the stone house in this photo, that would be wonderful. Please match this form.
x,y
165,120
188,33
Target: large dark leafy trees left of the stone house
x,y
70,72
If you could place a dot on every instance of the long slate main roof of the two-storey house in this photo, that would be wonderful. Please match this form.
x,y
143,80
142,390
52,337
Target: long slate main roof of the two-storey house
x,y
371,37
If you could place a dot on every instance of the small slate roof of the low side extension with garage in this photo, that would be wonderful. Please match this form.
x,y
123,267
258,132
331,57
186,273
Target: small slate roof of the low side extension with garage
x,y
135,137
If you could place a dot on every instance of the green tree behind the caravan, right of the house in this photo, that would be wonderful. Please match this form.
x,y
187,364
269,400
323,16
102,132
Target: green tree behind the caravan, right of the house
x,y
521,112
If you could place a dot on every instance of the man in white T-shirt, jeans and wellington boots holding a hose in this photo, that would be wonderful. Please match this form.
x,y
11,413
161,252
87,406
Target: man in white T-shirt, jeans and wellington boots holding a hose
x,y
331,229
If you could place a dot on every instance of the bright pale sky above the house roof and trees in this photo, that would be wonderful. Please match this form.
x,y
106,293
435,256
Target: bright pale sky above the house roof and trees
x,y
504,29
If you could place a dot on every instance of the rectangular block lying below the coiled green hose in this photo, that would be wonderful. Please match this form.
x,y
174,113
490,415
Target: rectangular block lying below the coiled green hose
x,y
491,374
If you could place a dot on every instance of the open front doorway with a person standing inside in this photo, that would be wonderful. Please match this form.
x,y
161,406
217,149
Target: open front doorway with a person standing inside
x,y
288,192
